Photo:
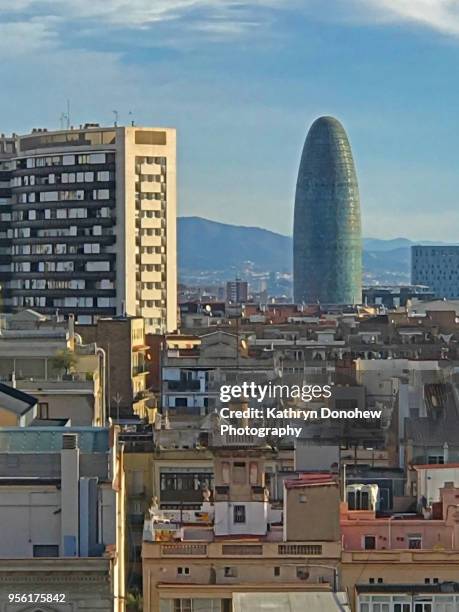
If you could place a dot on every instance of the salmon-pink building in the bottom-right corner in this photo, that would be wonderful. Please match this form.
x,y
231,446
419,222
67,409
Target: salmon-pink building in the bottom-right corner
x,y
403,562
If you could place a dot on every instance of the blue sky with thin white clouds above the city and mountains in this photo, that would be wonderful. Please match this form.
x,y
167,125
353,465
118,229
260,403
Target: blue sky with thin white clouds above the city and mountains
x,y
242,81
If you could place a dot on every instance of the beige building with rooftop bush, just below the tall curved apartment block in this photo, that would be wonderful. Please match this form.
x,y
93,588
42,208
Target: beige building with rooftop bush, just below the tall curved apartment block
x,y
42,356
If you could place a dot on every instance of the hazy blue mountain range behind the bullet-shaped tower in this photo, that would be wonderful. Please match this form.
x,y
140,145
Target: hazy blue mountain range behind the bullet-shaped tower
x,y
212,249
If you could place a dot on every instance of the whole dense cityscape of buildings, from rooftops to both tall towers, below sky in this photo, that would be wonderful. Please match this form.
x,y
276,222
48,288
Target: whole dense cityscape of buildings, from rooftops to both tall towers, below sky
x,y
134,472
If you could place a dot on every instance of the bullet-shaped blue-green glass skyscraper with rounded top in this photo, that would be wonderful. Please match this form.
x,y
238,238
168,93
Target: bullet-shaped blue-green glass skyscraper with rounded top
x,y
327,242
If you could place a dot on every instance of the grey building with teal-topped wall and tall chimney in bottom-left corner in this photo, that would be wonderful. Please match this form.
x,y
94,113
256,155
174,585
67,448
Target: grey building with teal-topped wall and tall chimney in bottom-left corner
x,y
62,511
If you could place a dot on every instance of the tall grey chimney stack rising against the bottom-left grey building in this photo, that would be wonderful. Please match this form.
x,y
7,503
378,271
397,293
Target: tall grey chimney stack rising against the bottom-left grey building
x,y
70,476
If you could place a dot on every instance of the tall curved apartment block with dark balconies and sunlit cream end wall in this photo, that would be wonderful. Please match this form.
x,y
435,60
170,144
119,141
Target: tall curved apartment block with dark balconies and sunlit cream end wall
x,y
88,223
